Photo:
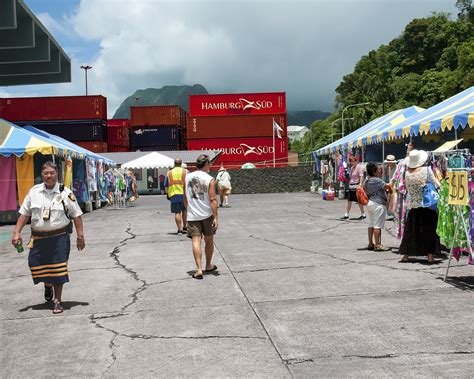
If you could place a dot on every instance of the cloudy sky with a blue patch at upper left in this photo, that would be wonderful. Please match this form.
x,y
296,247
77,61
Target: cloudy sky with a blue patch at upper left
x,y
301,47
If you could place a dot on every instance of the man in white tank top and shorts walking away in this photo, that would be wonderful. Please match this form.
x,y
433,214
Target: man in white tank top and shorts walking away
x,y
201,204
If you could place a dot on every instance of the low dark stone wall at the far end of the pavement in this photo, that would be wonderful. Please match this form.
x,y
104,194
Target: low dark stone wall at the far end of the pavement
x,y
269,180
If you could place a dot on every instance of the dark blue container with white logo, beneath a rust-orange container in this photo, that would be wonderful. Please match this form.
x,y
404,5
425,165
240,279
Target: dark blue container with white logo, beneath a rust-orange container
x,y
155,136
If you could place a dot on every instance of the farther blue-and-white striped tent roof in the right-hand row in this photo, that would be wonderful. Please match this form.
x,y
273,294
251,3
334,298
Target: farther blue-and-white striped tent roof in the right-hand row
x,y
367,133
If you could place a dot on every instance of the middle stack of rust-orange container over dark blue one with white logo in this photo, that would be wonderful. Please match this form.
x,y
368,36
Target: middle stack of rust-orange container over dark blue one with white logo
x,y
160,127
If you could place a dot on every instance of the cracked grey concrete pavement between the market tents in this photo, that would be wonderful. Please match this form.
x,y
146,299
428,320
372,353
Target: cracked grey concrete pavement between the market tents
x,y
293,297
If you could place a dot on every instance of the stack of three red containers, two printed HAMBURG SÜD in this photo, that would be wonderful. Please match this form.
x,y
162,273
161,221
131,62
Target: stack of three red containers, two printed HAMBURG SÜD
x,y
241,126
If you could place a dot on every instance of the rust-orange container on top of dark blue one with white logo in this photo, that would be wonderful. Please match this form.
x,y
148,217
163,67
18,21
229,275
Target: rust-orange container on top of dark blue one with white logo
x,y
157,115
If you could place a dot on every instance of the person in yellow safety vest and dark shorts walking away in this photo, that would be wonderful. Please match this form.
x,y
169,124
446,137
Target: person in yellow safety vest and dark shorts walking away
x,y
174,187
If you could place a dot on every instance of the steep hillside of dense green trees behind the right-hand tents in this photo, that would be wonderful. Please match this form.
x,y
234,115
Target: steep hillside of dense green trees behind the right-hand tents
x,y
430,61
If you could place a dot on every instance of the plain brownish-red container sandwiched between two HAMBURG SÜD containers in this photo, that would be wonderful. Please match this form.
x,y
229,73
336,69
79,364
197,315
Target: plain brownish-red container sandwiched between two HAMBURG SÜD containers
x,y
234,126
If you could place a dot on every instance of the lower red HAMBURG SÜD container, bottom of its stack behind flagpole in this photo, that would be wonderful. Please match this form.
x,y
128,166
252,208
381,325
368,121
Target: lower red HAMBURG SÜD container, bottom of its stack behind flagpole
x,y
244,149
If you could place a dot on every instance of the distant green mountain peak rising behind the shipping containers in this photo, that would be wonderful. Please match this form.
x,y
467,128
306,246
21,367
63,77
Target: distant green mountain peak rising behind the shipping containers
x,y
167,95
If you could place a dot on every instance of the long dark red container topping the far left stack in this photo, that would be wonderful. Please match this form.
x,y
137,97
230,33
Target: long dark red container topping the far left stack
x,y
53,108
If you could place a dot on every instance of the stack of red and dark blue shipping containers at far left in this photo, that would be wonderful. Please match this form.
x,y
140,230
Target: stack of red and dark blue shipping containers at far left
x,y
79,119
